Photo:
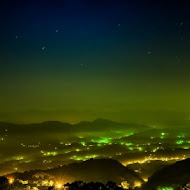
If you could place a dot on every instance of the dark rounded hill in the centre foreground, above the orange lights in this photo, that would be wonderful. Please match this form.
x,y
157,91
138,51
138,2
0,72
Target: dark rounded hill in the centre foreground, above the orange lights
x,y
94,170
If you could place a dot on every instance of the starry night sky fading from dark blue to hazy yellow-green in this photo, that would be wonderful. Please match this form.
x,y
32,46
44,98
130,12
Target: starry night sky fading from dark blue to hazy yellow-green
x,y
85,59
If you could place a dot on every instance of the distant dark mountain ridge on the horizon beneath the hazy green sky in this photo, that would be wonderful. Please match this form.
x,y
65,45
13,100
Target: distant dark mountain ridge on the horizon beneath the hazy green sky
x,y
97,125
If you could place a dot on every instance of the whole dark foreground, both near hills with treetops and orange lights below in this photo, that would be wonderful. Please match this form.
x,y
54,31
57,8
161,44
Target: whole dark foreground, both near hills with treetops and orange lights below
x,y
99,174
